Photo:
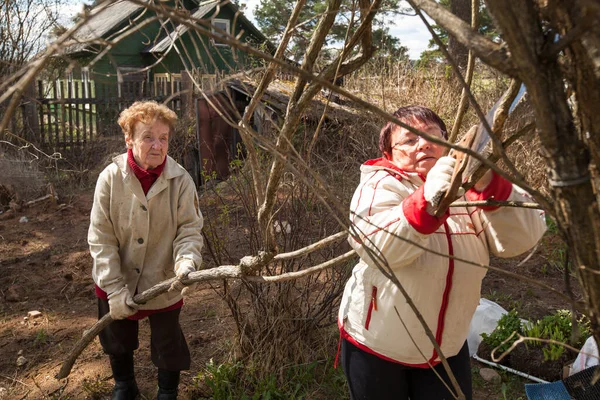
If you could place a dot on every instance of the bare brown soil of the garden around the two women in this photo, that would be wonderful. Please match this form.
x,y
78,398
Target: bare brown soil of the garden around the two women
x,y
45,266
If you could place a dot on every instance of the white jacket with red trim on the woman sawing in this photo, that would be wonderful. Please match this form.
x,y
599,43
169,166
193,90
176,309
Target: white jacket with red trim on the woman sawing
x,y
388,205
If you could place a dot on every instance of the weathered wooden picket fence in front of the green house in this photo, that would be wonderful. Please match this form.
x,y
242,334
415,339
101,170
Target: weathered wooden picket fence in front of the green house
x,y
67,115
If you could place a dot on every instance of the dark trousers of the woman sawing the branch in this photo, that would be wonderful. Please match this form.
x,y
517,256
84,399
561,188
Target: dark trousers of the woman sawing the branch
x,y
371,377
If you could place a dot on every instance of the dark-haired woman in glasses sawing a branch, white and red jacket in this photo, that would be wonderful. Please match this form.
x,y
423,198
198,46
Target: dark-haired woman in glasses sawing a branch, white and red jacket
x,y
385,351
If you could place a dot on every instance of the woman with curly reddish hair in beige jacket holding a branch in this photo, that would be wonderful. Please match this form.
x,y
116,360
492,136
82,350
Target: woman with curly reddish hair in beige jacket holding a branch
x,y
145,228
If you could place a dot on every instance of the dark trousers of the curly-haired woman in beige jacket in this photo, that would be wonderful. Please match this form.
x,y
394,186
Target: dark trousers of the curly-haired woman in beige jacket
x,y
169,349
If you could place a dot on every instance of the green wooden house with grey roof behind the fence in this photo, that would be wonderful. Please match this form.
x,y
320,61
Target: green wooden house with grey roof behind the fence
x,y
148,47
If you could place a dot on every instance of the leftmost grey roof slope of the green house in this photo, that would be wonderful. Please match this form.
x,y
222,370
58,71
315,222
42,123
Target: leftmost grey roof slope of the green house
x,y
101,21
